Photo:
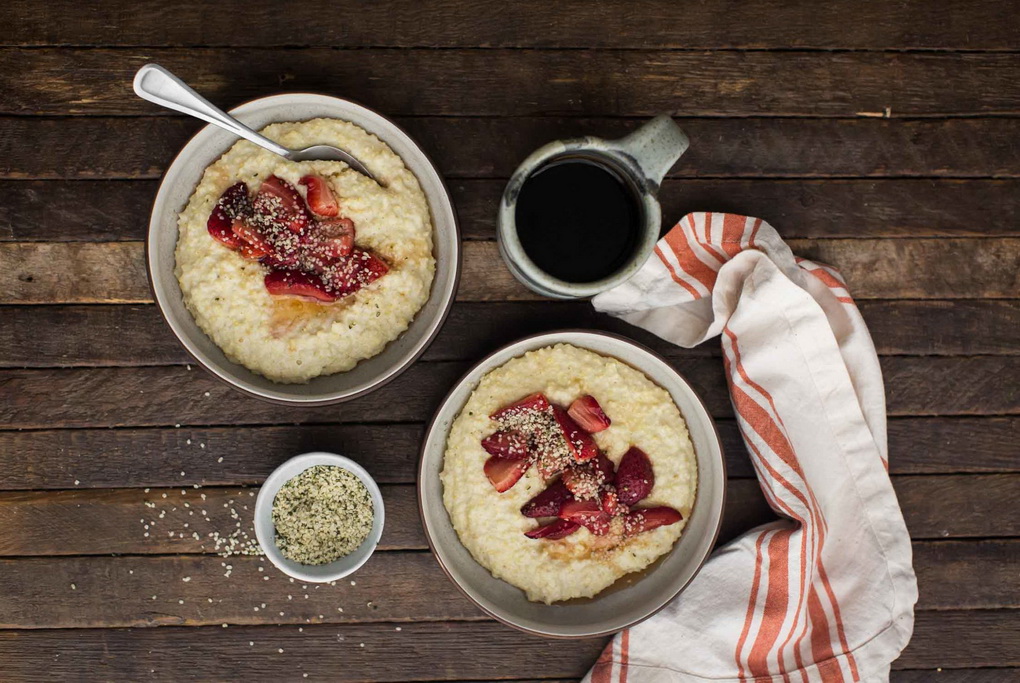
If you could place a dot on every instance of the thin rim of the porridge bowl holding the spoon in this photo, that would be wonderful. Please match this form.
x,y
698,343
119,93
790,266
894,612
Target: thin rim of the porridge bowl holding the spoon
x,y
394,372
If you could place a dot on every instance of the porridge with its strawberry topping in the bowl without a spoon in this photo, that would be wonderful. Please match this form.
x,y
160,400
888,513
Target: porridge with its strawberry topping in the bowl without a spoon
x,y
562,503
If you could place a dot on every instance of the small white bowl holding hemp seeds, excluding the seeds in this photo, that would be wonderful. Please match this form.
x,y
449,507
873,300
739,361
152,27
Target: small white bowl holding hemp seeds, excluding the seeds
x,y
266,532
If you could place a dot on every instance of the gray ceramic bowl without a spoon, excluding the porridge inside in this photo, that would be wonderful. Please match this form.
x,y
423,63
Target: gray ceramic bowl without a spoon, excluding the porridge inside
x,y
633,598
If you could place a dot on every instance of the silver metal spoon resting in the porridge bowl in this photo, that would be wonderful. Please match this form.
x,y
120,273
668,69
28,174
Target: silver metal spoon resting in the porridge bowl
x,y
156,84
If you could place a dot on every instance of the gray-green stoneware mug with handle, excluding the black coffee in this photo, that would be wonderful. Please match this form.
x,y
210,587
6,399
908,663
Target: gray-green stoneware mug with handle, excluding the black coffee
x,y
641,159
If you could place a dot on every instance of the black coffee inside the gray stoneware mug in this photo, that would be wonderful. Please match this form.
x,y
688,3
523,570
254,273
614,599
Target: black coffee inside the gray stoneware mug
x,y
578,221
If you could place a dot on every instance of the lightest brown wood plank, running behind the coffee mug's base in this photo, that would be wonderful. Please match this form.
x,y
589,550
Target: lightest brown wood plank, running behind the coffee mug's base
x,y
115,273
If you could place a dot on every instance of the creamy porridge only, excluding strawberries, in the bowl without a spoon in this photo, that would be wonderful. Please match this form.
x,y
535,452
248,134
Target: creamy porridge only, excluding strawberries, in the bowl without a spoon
x,y
581,564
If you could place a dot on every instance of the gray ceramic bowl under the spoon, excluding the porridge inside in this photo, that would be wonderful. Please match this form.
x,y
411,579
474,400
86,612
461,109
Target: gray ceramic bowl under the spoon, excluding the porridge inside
x,y
185,174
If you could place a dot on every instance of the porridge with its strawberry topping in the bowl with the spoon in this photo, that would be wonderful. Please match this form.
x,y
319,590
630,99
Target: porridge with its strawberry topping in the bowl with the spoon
x,y
300,270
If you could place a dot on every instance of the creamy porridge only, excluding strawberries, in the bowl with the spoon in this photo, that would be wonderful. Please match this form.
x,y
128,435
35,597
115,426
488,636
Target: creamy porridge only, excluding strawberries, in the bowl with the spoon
x,y
292,339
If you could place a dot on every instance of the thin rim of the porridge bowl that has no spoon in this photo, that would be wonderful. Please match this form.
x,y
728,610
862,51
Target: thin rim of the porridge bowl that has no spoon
x,y
553,339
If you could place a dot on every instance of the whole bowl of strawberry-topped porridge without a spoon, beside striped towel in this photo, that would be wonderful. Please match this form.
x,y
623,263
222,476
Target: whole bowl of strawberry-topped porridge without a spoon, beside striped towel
x,y
572,484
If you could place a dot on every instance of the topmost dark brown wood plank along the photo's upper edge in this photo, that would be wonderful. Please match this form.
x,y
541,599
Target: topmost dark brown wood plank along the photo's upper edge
x,y
450,24
